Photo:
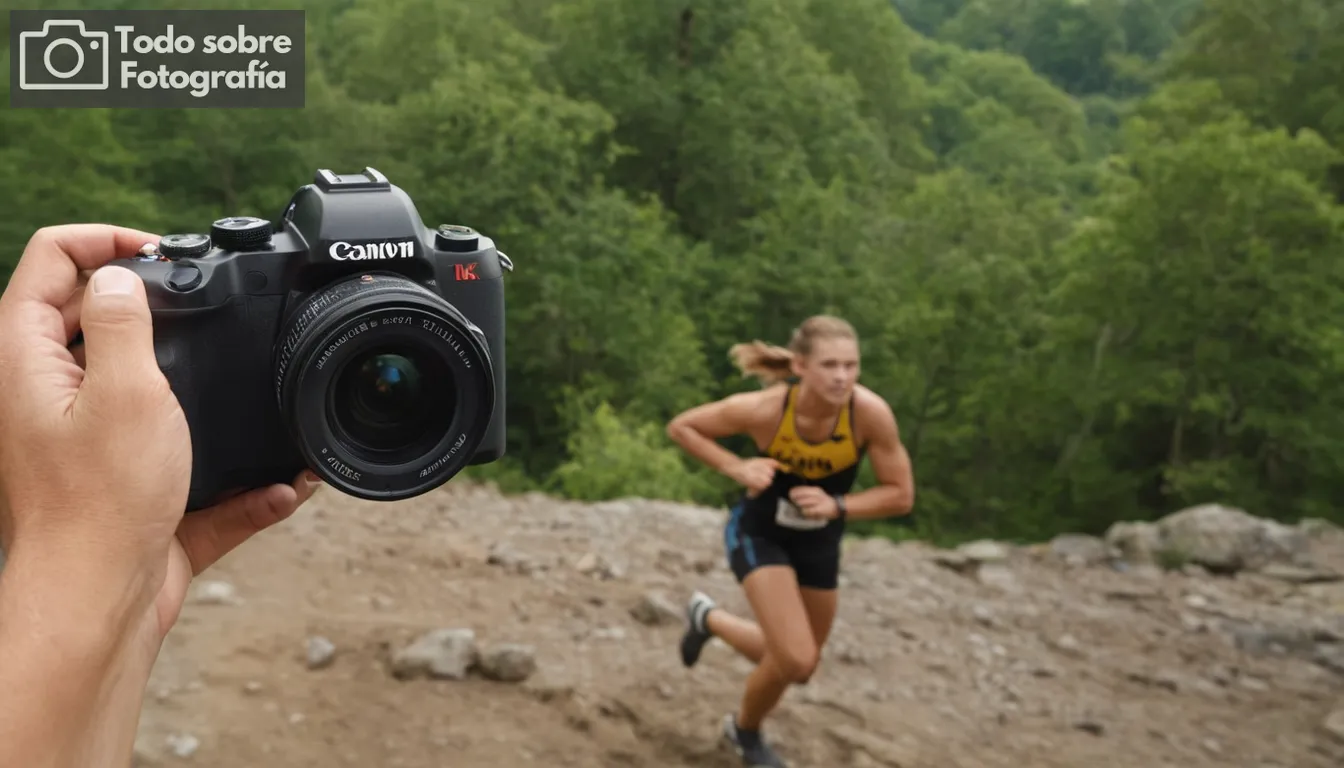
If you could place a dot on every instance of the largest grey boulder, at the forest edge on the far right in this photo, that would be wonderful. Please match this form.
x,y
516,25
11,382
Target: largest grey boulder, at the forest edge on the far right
x,y
1228,540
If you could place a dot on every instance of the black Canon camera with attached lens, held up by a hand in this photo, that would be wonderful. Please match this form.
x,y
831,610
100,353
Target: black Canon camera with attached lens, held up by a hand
x,y
347,338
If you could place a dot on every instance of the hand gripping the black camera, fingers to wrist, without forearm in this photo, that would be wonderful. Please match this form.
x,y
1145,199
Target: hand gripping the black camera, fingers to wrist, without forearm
x,y
95,450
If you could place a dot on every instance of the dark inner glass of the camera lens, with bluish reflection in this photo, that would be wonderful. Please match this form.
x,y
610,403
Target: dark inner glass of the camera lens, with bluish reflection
x,y
389,401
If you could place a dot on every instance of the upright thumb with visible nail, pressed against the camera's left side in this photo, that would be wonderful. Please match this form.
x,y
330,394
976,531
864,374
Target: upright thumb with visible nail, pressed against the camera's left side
x,y
119,342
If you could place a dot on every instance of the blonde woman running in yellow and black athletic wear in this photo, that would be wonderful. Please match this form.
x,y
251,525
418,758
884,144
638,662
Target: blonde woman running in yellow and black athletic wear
x,y
812,424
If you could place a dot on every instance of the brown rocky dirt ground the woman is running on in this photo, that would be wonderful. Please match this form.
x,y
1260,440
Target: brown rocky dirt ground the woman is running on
x,y
1025,662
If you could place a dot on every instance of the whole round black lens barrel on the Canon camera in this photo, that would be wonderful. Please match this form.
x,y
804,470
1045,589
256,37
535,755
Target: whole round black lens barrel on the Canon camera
x,y
388,389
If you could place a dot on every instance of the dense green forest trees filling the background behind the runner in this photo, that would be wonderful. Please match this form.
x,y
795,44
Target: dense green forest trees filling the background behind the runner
x,y
1095,248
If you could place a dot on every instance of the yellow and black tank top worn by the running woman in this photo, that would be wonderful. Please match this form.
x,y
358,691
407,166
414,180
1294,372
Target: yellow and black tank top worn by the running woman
x,y
831,465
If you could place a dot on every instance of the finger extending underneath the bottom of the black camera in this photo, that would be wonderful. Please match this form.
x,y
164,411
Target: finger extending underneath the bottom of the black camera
x,y
210,535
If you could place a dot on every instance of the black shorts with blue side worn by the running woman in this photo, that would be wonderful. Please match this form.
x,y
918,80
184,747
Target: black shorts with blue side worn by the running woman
x,y
814,558
